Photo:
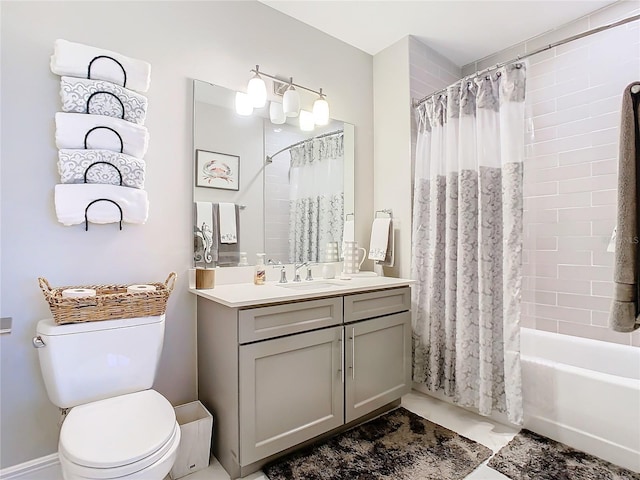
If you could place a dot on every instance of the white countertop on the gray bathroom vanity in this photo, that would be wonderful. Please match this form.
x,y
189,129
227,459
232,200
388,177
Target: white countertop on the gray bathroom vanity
x,y
248,294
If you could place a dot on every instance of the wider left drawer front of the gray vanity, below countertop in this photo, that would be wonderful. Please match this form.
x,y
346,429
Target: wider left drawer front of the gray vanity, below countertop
x,y
274,321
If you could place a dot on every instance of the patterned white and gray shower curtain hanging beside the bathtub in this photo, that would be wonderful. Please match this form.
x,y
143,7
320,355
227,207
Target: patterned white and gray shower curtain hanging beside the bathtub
x,y
467,242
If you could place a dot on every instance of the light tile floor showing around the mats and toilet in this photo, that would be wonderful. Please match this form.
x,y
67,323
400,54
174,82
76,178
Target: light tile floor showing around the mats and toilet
x,y
487,432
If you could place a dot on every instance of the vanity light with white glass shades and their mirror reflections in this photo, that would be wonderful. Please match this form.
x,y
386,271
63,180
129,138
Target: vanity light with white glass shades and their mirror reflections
x,y
290,106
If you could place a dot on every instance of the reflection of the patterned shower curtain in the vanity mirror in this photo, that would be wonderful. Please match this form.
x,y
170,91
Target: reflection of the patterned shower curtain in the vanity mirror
x,y
316,197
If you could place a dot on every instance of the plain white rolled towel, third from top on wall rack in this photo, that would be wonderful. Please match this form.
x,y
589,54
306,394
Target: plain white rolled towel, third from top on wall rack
x,y
77,130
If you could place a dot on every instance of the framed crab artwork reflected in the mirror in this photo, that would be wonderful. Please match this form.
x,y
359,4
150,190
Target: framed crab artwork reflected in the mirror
x,y
217,170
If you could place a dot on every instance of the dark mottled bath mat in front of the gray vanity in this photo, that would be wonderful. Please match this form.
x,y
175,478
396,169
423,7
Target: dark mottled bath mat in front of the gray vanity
x,y
398,445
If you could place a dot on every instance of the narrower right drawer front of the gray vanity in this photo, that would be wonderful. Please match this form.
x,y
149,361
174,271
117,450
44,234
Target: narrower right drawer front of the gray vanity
x,y
376,304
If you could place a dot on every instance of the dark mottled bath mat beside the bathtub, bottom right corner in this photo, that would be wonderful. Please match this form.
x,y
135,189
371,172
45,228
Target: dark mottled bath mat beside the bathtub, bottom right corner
x,y
530,456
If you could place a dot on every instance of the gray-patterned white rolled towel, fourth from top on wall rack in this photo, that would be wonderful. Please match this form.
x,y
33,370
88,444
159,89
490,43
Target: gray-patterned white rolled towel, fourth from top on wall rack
x,y
74,165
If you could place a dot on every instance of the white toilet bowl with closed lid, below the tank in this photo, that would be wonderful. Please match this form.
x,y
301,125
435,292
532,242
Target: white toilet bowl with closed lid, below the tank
x,y
132,436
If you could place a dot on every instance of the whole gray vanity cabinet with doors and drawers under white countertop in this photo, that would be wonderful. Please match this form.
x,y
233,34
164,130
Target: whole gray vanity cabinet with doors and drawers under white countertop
x,y
276,376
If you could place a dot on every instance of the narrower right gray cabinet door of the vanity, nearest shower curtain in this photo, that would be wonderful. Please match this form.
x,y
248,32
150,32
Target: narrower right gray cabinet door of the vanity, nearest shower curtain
x,y
378,355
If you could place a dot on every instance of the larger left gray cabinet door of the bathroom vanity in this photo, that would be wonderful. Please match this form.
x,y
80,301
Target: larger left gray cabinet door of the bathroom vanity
x,y
291,389
